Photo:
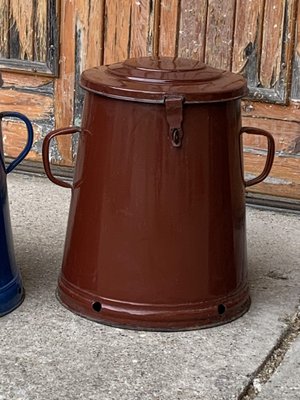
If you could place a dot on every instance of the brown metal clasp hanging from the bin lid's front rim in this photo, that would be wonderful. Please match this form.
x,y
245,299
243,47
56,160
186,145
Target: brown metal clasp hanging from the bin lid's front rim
x,y
174,111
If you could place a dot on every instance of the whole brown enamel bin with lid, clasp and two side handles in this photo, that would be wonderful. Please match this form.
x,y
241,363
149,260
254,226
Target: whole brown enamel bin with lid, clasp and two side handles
x,y
156,232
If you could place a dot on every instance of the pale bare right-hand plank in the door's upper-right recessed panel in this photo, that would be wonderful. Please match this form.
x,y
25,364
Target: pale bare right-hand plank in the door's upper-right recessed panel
x,y
273,26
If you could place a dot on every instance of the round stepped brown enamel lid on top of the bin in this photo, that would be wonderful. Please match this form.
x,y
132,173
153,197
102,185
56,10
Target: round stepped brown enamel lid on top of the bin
x,y
151,79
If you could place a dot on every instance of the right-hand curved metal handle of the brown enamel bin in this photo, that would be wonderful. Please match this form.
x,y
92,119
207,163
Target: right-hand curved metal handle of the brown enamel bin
x,y
270,155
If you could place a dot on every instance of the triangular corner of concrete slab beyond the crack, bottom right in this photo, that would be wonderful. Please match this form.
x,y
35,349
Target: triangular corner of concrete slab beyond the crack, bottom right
x,y
285,383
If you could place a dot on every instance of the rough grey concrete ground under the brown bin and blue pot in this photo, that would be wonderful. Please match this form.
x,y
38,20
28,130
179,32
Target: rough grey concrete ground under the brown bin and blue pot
x,y
48,353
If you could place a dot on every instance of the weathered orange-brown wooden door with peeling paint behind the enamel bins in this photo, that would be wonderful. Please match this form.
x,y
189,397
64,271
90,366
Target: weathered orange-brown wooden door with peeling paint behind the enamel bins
x,y
259,39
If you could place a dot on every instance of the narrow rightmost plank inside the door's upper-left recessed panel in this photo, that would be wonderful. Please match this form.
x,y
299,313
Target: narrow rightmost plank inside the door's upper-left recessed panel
x,y
40,31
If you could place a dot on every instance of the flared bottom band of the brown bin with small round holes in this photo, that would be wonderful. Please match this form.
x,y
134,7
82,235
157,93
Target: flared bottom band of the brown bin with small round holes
x,y
154,317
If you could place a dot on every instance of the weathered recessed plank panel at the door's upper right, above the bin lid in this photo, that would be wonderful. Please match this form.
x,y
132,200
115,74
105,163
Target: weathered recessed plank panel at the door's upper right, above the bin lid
x,y
264,35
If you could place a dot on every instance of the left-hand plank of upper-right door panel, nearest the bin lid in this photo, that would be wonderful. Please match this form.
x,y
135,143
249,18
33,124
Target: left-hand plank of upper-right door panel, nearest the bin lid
x,y
247,39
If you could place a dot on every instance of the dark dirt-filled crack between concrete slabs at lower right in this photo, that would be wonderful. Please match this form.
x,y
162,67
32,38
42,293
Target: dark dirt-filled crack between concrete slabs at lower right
x,y
273,360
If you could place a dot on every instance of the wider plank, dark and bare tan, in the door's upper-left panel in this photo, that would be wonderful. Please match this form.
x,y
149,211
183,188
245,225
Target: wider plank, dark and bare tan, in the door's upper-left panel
x,y
21,29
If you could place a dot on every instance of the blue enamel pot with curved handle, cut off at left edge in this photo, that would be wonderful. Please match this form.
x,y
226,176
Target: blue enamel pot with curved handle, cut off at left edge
x,y
11,288
